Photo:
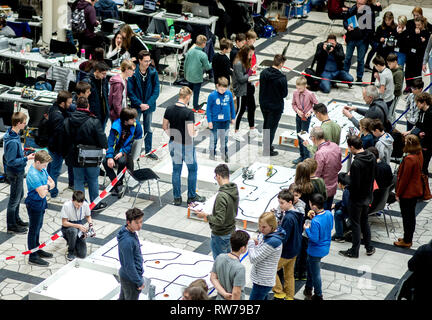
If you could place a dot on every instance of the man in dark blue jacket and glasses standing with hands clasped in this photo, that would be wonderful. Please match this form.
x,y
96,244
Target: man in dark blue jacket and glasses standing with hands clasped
x,y
143,91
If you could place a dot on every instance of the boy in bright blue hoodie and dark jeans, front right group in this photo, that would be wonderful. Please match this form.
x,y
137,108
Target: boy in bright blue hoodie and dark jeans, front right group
x,y
319,234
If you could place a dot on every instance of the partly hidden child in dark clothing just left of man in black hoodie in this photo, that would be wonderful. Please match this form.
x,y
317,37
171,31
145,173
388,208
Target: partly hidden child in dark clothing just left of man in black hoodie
x,y
341,207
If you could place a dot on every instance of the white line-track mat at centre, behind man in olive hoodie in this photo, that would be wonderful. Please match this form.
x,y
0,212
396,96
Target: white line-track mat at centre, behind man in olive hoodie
x,y
259,194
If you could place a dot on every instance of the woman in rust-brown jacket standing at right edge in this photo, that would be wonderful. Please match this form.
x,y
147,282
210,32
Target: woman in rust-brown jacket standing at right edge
x,y
409,187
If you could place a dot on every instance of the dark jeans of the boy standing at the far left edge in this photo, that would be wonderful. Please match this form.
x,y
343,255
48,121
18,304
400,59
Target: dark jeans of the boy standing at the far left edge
x,y
16,194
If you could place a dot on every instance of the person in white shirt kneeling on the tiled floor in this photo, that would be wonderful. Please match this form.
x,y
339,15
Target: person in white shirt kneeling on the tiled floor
x,y
72,213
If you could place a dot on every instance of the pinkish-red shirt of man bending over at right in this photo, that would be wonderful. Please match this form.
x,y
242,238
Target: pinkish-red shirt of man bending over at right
x,y
328,157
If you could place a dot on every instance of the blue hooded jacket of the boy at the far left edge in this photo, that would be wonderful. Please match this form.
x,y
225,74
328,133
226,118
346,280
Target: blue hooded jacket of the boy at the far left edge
x,y
13,152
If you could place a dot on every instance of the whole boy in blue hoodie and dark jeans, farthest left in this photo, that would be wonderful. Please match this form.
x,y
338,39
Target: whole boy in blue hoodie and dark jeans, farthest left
x,y
15,163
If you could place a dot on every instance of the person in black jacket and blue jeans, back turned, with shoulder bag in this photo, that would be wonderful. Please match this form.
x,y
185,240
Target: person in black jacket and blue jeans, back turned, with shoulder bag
x,y
83,127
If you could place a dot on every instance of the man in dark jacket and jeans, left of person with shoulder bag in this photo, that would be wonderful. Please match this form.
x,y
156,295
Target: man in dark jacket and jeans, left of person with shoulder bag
x,y
55,124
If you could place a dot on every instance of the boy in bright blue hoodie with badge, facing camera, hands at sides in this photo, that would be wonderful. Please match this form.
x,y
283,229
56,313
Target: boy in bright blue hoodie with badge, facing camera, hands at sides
x,y
220,112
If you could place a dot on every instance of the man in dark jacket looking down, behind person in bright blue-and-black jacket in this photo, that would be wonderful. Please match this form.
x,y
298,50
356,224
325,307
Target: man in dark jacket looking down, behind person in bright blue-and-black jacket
x,y
98,98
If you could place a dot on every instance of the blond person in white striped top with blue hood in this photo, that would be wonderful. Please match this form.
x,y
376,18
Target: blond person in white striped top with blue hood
x,y
264,253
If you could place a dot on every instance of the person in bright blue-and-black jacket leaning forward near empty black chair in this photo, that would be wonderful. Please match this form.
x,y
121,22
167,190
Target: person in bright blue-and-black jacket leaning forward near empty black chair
x,y
123,133
